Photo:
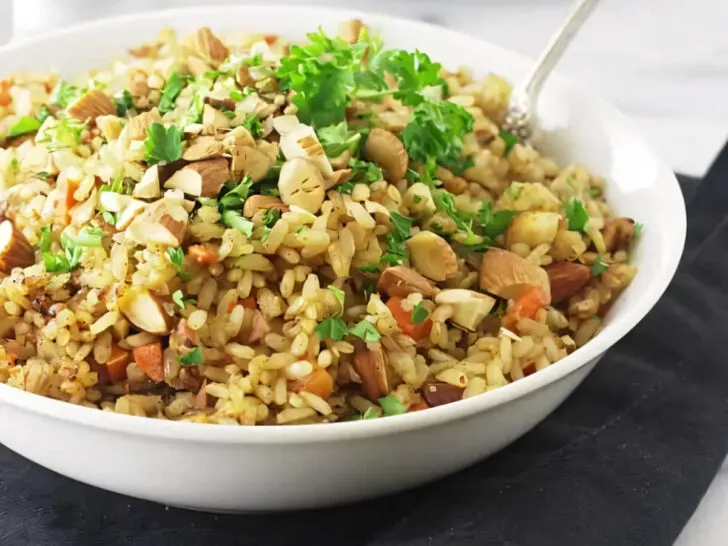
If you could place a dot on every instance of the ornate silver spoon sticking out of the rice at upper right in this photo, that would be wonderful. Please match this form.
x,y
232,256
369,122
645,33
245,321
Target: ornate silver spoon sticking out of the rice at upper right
x,y
521,115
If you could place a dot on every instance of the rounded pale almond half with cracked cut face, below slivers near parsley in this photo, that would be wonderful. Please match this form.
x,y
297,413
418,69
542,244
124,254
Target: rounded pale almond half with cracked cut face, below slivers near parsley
x,y
301,184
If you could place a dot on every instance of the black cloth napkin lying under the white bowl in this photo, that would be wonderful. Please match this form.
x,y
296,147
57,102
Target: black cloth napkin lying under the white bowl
x,y
624,461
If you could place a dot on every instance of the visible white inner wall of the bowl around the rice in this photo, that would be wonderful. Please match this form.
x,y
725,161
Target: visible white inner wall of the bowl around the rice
x,y
578,128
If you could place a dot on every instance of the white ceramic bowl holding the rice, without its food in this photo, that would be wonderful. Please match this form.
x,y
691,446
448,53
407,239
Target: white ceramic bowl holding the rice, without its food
x,y
222,468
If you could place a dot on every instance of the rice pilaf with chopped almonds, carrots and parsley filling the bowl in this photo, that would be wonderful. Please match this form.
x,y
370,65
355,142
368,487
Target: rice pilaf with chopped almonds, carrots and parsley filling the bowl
x,y
236,230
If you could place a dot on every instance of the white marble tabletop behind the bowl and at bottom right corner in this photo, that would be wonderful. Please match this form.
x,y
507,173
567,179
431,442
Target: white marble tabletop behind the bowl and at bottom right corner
x,y
663,62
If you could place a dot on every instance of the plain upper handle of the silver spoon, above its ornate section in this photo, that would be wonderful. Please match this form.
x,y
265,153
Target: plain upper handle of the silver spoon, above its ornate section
x,y
554,51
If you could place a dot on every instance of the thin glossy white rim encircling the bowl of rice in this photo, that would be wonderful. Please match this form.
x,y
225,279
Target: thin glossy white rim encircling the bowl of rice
x,y
620,325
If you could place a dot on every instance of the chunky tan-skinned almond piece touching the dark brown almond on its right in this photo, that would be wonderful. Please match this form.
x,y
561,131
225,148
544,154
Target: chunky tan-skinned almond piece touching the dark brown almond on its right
x,y
507,275
